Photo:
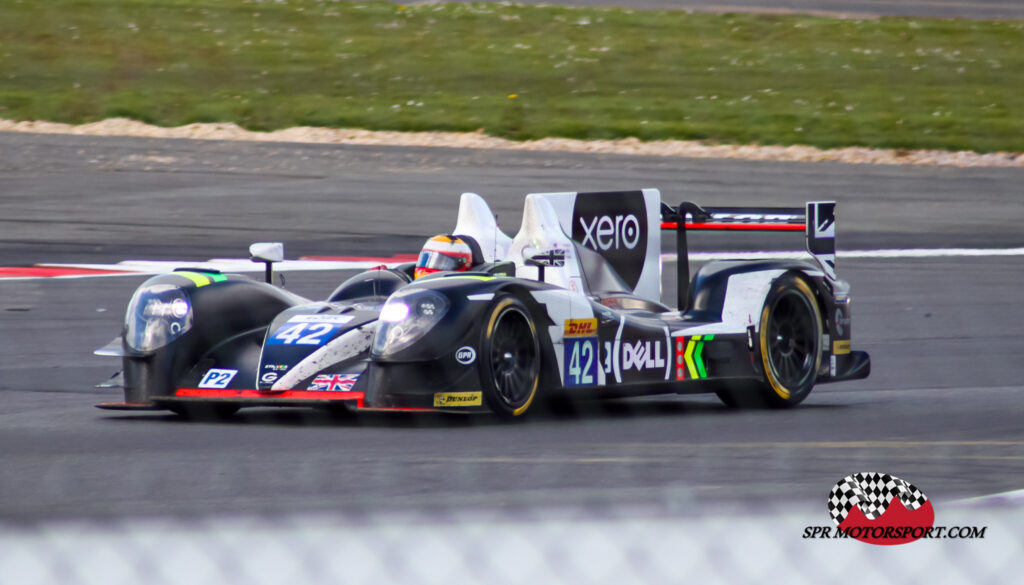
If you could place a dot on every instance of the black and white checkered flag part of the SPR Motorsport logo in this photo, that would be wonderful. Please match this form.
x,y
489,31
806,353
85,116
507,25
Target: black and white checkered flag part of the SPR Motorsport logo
x,y
872,493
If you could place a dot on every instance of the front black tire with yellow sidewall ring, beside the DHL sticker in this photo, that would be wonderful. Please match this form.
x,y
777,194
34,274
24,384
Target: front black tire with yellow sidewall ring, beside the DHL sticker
x,y
510,359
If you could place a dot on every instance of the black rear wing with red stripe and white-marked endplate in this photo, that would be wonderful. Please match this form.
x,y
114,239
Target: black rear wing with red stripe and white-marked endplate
x,y
818,222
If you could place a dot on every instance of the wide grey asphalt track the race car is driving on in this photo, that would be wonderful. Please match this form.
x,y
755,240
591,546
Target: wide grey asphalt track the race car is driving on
x,y
942,408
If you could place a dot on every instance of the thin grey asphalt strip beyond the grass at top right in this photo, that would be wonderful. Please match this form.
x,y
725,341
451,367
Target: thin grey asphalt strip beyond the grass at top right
x,y
985,10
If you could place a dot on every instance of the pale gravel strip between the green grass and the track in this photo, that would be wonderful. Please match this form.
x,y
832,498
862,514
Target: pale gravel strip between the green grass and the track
x,y
691,149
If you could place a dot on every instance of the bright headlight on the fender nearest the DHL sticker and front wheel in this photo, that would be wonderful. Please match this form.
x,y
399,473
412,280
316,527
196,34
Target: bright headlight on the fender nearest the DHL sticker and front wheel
x,y
408,316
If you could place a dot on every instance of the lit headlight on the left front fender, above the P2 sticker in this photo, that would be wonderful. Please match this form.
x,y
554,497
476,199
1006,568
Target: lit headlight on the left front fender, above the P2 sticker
x,y
157,315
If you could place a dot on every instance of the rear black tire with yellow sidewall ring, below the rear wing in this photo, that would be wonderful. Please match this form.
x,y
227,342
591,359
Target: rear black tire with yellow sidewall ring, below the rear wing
x,y
790,348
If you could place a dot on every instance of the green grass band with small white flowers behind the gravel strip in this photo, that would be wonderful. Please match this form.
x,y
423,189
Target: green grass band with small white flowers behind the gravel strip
x,y
519,72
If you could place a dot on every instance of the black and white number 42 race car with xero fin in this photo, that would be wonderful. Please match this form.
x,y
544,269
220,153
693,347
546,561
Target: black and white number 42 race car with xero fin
x,y
568,308
